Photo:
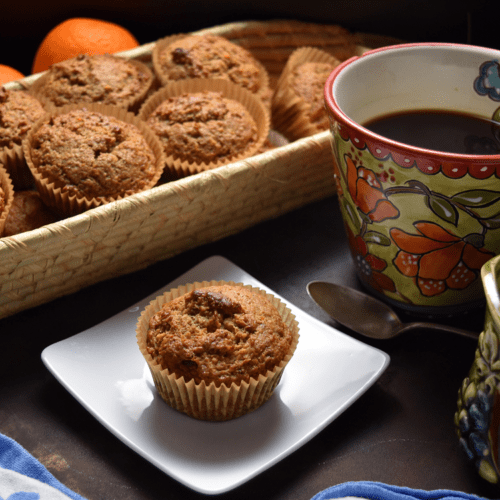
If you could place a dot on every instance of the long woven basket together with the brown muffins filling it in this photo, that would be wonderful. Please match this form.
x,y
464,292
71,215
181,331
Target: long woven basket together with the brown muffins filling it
x,y
154,136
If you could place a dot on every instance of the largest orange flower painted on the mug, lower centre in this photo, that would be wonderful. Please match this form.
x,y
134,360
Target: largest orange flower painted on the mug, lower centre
x,y
438,259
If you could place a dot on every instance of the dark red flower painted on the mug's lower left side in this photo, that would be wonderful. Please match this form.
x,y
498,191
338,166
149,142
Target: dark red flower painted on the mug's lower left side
x,y
369,266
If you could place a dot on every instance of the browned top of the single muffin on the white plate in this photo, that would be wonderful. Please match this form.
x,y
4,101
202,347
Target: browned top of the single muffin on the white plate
x,y
221,334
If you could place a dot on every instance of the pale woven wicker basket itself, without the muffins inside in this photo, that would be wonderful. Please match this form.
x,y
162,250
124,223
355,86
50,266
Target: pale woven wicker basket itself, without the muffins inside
x,y
127,235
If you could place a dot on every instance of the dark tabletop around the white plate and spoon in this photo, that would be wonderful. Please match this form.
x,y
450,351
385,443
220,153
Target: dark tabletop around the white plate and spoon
x,y
399,432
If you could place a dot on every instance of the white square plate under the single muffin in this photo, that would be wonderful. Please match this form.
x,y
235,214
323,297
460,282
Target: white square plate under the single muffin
x,y
104,370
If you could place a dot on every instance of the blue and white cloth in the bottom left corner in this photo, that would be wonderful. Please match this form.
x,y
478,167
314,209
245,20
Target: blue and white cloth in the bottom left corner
x,y
23,477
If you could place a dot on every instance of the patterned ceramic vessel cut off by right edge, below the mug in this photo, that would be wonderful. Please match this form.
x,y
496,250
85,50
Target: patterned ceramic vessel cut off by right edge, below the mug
x,y
477,419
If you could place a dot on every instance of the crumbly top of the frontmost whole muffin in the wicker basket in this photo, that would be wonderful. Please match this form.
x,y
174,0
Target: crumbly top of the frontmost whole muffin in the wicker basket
x,y
90,154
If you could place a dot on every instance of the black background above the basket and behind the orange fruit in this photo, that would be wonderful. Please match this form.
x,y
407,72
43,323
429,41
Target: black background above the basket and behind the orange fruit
x,y
25,23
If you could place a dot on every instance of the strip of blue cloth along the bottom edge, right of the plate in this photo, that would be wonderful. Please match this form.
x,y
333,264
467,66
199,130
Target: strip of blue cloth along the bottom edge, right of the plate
x,y
380,491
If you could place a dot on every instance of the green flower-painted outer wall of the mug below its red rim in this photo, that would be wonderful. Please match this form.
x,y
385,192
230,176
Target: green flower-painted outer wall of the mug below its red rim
x,y
416,237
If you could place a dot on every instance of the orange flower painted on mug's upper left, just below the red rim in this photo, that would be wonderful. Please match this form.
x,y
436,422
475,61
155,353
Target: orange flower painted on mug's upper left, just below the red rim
x,y
367,193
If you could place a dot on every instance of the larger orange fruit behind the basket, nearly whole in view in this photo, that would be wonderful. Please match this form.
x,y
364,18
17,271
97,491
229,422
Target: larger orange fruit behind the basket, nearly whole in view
x,y
80,35
